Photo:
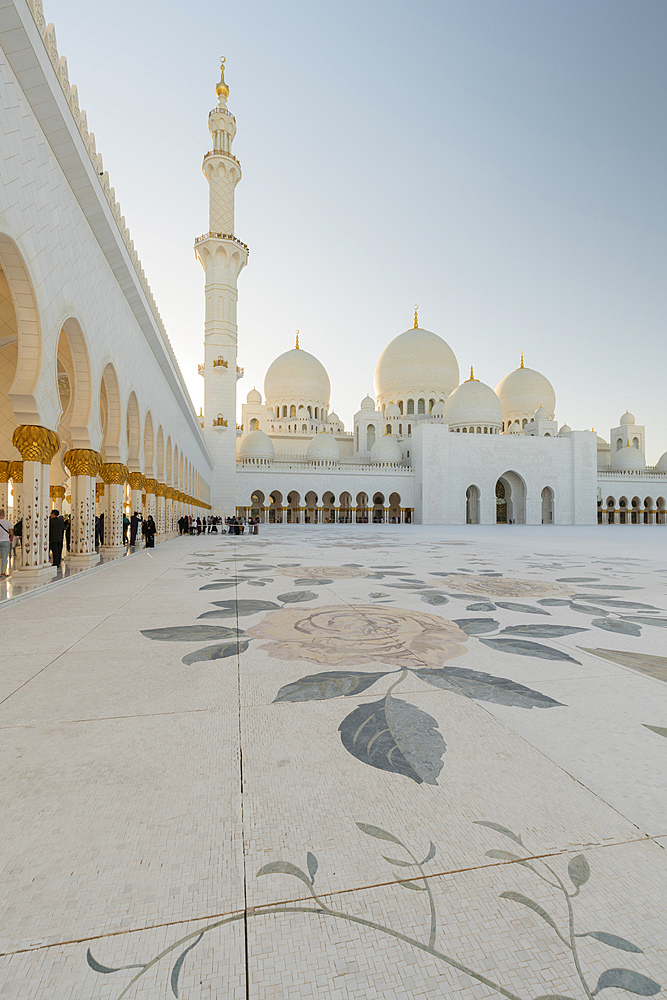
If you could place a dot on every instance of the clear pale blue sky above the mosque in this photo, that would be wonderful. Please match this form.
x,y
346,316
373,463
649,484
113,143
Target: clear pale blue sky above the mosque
x,y
500,162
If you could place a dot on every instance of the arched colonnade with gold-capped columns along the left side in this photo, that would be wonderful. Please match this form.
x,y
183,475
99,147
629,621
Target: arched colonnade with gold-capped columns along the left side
x,y
72,437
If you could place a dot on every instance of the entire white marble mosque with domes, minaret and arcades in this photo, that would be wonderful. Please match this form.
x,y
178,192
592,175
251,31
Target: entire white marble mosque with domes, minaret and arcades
x,y
96,417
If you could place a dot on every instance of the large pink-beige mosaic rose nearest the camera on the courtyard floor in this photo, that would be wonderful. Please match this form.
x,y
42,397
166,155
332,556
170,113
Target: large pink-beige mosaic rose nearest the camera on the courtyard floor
x,y
339,635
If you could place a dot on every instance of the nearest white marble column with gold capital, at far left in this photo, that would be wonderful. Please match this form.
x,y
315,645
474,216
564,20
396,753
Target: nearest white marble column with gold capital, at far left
x,y
37,446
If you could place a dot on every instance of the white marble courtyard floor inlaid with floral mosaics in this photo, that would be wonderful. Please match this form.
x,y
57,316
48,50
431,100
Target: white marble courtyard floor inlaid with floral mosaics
x,y
361,761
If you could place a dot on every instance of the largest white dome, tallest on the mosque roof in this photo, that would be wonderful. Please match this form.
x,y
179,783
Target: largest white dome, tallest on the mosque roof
x,y
416,364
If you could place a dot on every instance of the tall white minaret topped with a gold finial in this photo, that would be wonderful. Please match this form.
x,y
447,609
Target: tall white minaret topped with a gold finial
x,y
222,256
